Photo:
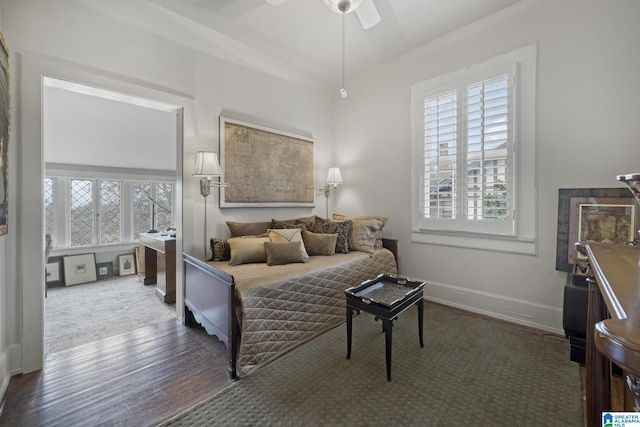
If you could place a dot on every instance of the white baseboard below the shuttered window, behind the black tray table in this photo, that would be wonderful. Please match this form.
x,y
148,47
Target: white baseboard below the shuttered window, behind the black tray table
x,y
513,310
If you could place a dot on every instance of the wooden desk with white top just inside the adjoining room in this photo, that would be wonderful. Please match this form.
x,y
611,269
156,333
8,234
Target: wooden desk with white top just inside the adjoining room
x,y
160,264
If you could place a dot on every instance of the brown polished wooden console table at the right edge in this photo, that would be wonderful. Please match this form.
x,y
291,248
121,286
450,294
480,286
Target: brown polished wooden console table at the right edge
x,y
613,324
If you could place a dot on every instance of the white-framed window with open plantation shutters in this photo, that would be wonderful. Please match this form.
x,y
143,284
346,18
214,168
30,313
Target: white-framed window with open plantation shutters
x,y
473,140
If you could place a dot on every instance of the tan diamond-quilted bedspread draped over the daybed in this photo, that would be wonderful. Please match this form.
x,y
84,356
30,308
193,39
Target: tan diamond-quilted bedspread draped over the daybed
x,y
284,306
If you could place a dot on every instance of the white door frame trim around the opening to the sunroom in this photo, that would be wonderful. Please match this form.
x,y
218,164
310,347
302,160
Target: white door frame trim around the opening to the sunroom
x,y
29,354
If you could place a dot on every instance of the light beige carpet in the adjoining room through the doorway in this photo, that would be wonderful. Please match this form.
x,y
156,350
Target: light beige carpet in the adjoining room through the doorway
x,y
78,314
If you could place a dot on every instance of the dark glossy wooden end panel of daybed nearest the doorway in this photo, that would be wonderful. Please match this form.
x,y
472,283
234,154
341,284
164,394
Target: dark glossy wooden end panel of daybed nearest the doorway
x,y
209,299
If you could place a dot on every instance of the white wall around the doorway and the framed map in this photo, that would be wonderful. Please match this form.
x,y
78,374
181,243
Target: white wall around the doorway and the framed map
x,y
165,61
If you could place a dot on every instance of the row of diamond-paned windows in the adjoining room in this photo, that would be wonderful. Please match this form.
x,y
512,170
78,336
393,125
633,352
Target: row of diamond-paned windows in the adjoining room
x,y
104,211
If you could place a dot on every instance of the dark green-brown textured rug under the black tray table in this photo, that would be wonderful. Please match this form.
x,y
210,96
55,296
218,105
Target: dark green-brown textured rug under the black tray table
x,y
473,371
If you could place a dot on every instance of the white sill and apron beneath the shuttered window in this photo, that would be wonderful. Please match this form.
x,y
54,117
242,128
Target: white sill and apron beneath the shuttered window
x,y
518,245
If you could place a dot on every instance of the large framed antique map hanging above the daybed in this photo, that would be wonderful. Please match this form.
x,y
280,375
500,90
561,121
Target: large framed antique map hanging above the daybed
x,y
265,167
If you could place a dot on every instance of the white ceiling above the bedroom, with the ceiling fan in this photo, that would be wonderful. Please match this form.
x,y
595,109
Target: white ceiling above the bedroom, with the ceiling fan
x,y
308,35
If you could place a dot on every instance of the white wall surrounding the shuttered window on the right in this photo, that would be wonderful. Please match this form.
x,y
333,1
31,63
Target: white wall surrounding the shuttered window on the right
x,y
588,132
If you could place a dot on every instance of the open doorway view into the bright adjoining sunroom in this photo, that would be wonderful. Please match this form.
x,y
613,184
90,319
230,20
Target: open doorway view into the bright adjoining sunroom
x,y
106,155
